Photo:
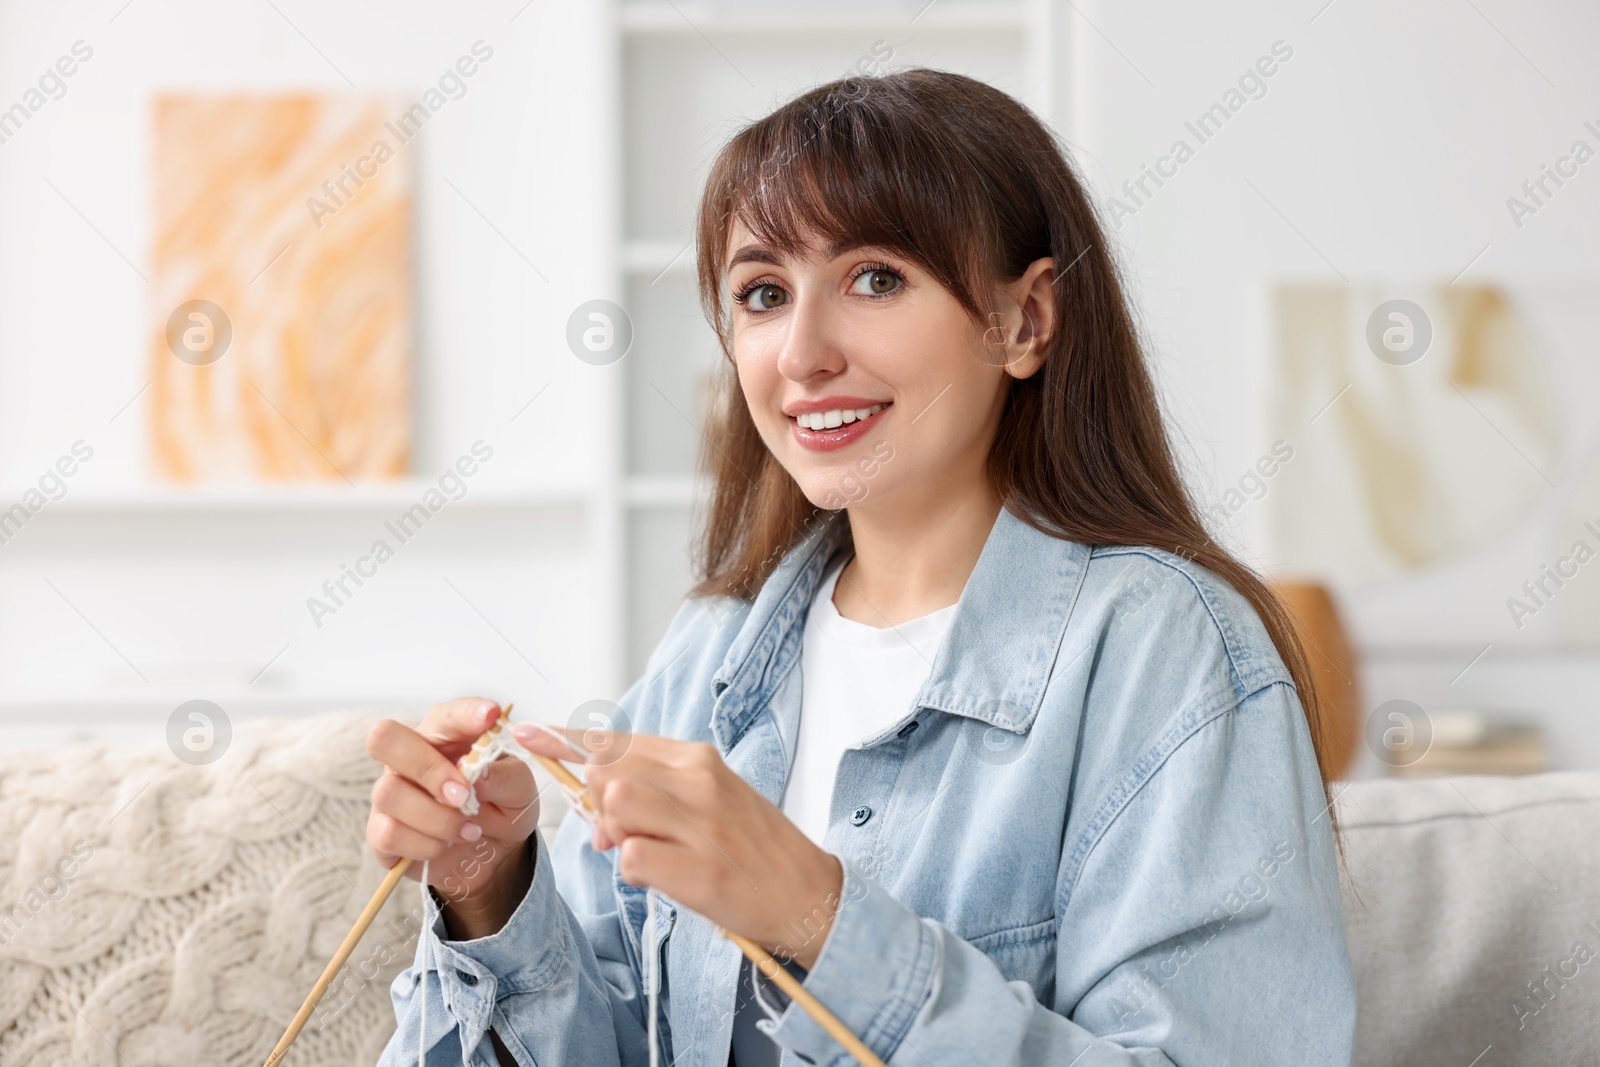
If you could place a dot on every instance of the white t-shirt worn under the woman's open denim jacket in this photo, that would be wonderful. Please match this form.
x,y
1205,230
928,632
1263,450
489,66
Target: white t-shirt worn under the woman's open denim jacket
x,y
855,682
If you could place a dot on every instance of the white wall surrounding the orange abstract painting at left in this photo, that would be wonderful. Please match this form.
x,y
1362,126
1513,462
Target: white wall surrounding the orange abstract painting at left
x,y
178,601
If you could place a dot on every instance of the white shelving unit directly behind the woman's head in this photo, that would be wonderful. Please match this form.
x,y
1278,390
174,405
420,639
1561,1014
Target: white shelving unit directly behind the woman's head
x,y
692,76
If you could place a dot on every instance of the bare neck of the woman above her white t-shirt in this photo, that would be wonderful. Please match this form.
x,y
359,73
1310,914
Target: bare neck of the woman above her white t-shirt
x,y
914,557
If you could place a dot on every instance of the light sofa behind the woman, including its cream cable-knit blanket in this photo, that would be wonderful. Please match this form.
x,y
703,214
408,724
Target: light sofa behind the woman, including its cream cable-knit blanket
x,y
175,914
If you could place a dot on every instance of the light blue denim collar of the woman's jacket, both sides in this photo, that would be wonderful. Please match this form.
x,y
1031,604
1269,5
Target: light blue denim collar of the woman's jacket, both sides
x,y
994,661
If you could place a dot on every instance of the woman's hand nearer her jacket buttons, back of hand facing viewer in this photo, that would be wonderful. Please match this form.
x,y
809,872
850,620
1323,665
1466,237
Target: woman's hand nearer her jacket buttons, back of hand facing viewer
x,y
686,825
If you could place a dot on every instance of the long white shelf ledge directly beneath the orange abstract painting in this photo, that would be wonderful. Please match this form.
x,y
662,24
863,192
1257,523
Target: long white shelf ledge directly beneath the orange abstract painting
x,y
298,498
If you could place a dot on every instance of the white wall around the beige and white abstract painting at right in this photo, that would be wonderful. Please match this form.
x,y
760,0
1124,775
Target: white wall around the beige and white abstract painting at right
x,y
1385,148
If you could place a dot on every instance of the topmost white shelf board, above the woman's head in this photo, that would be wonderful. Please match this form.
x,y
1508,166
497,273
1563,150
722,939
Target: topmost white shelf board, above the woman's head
x,y
718,18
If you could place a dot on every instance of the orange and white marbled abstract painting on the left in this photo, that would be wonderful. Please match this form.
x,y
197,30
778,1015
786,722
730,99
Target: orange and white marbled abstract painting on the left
x,y
281,340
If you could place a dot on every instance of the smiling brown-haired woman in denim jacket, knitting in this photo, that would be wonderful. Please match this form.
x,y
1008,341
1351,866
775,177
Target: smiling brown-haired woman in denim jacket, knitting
x,y
970,721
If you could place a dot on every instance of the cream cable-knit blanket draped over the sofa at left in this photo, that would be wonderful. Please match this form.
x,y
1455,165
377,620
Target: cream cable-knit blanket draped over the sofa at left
x,y
162,914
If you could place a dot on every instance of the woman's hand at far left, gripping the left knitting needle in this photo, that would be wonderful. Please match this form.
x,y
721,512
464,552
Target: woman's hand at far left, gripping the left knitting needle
x,y
482,865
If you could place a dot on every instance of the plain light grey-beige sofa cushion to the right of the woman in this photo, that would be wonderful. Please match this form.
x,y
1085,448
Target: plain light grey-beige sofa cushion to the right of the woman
x,y
1473,916
